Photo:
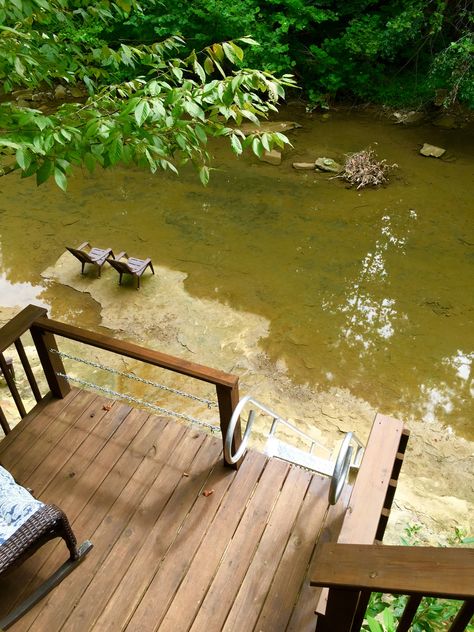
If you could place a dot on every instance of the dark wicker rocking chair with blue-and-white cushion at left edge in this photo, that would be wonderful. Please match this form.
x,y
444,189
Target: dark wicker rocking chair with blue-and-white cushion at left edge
x,y
43,524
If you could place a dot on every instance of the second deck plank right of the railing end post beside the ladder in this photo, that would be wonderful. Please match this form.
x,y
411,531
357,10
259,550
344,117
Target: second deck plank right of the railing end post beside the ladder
x,y
221,594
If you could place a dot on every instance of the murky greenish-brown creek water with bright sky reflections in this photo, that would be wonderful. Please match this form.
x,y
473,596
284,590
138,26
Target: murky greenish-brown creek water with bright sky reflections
x,y
369,290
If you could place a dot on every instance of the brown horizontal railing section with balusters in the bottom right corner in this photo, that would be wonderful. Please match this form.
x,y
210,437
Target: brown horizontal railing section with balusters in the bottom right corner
x,y
354,571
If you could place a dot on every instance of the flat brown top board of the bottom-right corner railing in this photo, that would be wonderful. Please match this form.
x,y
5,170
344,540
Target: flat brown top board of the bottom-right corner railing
x,y
408,570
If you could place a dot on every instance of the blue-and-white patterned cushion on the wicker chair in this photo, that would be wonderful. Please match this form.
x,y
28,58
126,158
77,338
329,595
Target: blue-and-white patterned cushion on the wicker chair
x,y
16,505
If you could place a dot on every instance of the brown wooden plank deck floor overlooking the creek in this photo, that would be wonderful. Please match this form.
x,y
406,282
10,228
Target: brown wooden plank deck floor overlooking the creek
x,y
167,555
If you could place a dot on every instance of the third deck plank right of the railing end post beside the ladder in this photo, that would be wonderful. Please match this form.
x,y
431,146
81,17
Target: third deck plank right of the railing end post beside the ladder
x,y
257,581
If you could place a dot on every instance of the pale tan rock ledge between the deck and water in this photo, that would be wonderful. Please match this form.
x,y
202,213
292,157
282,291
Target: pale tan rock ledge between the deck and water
x,y
436,486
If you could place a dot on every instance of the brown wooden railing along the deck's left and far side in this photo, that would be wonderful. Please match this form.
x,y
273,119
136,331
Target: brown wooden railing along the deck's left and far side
x,y
44,332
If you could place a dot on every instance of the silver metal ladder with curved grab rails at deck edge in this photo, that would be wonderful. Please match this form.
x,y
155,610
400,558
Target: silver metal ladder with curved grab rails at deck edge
x,y
338,470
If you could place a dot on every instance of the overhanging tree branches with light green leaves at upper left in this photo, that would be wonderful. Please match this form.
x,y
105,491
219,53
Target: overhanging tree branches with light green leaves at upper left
x,y
148,104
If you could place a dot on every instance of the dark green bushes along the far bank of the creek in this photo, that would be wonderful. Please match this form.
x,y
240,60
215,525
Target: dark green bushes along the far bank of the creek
x,y
396,52
